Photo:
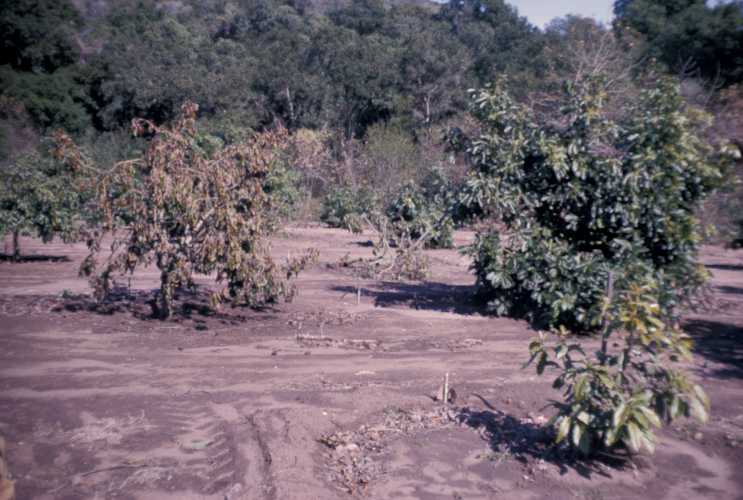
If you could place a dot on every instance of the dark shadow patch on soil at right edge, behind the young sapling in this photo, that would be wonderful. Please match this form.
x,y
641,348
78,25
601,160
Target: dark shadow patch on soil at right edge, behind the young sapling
x,y
719,342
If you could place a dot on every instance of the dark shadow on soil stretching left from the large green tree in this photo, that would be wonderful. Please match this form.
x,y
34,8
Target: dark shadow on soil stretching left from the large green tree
x,y
428,296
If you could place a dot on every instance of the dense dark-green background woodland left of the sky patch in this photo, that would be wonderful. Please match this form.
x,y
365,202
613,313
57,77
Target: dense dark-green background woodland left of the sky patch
x,y
96,65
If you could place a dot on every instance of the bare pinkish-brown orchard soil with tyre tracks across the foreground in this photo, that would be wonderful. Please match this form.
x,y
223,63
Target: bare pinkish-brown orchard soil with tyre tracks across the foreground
x,y
322,398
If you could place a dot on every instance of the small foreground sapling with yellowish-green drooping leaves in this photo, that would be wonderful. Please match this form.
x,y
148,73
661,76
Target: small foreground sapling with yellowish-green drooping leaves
x,y
618,396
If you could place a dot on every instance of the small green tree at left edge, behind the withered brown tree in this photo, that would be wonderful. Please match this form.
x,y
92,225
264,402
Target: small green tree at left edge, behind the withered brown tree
x,y
37,197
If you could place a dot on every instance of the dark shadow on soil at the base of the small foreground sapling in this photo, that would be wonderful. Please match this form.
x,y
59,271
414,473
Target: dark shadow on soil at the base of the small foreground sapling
x,y
527,441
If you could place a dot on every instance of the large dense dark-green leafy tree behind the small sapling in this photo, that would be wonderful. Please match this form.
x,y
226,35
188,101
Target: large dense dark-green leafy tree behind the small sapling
x,y
583,195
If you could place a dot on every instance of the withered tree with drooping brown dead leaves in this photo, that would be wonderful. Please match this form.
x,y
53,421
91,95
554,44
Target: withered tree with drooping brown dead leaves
x,y
189,211
